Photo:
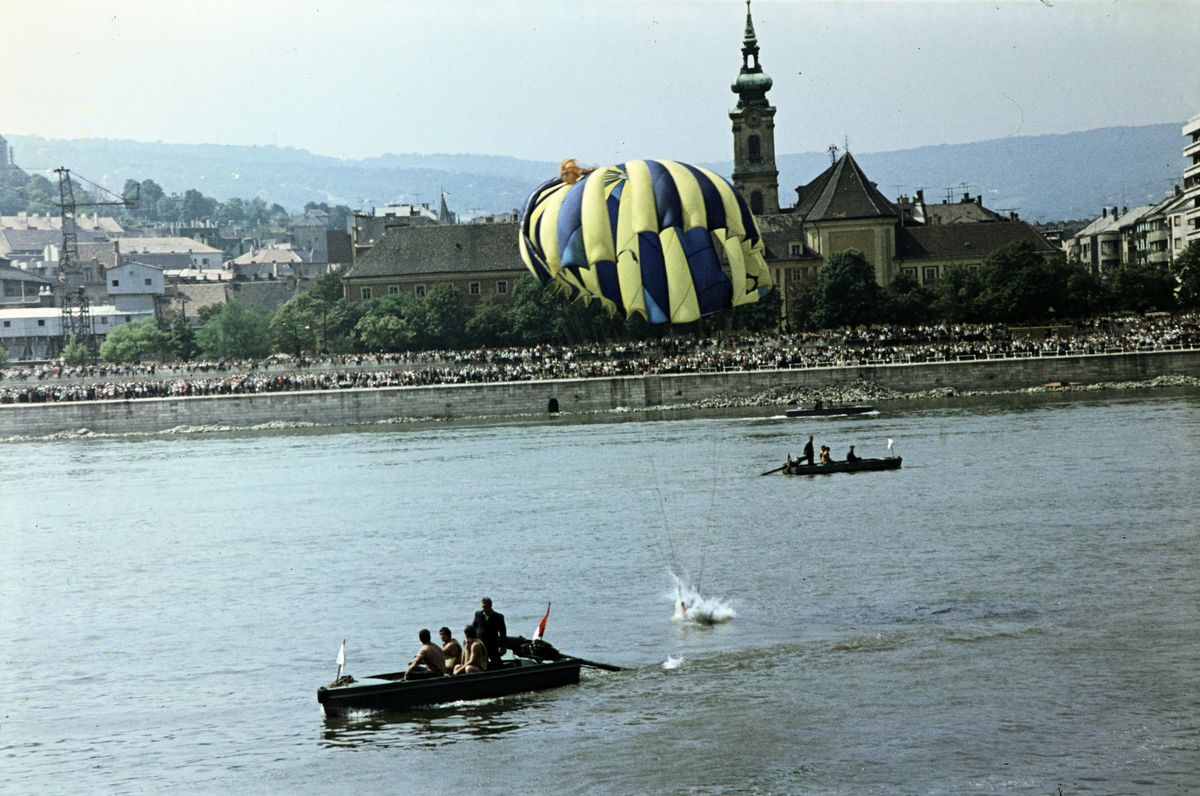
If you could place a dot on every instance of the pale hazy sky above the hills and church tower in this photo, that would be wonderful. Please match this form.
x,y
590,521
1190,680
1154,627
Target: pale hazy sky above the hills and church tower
x,y
602,81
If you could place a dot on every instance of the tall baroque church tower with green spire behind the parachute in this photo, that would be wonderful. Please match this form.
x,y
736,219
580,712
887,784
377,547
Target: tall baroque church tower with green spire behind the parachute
x,y
754,130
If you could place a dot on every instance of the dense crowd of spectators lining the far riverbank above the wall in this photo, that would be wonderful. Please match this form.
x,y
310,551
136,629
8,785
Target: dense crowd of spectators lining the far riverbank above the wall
x,y
670,355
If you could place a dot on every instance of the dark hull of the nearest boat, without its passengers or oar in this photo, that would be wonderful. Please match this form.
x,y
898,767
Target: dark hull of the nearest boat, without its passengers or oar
x,y
391,693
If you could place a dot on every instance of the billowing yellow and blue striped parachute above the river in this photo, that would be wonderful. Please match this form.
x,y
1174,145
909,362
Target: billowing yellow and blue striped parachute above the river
x,y
665,241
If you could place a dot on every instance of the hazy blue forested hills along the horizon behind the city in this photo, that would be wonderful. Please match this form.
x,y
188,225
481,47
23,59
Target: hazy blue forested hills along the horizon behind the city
x,y
1045,178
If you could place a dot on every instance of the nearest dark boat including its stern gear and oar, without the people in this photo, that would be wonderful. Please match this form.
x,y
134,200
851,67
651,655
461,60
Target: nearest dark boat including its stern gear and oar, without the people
x,y
537,666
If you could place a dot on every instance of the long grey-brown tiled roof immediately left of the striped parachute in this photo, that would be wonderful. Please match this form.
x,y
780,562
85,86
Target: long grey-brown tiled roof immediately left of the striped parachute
x,y
442,250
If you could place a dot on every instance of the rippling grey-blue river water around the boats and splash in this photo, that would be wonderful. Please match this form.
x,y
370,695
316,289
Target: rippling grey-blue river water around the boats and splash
x,y
1016,611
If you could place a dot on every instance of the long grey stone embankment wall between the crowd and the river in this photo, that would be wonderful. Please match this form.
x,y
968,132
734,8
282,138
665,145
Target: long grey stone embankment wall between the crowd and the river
x,y
539,398
